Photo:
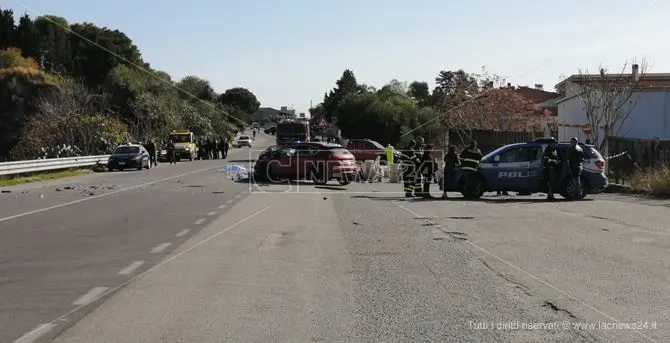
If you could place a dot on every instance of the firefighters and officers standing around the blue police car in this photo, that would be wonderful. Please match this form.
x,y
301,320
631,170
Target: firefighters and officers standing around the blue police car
x,y
420,167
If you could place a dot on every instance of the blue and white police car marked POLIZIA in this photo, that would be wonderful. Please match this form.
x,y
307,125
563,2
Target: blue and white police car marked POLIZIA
x,y
518,168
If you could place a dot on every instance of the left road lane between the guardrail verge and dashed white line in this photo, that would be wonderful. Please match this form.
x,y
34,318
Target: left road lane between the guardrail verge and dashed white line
x,y
65,243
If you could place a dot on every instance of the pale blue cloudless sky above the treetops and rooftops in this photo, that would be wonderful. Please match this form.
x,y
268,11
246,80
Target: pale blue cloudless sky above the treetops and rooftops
x,y
290,52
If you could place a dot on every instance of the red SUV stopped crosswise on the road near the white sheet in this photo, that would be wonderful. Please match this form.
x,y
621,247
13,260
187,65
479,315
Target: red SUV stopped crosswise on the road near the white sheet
x,y
319,162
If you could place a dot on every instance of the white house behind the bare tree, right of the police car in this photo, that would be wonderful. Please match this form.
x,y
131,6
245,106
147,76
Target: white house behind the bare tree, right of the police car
x,y
648,119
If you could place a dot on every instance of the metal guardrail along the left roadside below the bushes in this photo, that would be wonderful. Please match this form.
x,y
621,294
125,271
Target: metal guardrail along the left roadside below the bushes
x,y
48,164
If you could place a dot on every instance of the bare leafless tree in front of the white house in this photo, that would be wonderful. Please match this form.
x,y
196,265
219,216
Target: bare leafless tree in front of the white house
x,y
609,100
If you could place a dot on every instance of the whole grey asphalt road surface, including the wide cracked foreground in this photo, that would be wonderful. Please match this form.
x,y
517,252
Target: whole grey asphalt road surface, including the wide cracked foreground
x,y
301,263
